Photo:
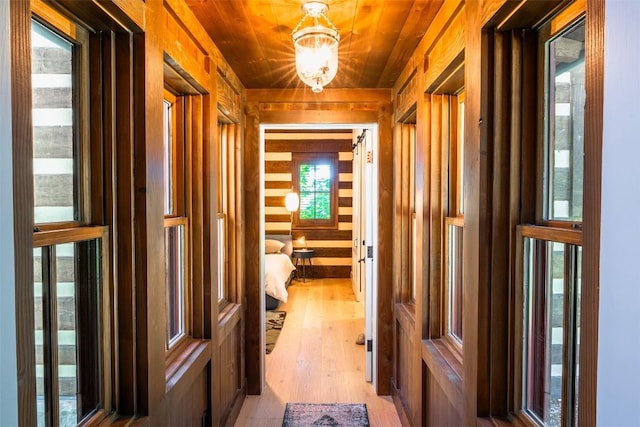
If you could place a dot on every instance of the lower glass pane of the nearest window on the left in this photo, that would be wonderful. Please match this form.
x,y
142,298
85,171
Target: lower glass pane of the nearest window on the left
x,y
67,283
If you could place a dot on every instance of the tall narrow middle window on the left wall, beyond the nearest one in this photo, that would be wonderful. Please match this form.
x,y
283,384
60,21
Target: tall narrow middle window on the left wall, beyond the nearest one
x,y
175,223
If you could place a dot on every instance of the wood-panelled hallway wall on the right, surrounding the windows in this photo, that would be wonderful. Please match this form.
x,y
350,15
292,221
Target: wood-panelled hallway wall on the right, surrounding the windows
x,y
470,45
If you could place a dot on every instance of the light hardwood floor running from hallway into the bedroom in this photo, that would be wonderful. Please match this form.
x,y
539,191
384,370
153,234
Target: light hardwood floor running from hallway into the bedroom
x,y
316,359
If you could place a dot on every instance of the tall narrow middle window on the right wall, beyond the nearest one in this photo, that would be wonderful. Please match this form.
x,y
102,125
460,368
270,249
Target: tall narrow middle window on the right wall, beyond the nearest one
x,y
454,222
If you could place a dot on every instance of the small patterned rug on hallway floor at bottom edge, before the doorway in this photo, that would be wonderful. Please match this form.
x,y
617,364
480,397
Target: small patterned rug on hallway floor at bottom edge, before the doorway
x,y
325,414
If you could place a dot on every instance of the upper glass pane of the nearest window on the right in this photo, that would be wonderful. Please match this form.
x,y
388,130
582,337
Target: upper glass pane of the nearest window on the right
x,y
565,124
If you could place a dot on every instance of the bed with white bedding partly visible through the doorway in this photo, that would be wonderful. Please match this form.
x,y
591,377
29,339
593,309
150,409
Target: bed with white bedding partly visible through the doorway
x,y
278,269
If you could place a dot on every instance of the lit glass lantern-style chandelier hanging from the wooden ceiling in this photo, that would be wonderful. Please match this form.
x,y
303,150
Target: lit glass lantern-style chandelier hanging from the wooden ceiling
x,y
316,43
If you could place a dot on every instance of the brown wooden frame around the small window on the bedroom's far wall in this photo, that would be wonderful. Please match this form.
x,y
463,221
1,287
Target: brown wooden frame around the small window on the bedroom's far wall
x,y
299,159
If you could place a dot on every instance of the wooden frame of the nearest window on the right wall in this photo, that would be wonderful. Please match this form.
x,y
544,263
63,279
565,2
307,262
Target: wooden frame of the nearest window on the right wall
x,y
566,232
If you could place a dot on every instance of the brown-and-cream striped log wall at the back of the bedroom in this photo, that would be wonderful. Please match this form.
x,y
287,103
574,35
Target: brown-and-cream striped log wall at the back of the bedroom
x,y
332,248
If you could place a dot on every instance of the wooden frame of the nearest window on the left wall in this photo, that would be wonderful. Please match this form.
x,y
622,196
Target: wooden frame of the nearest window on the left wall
x,y
83,228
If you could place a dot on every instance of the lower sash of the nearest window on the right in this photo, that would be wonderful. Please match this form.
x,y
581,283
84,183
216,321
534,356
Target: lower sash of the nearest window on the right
x,y
552,284
